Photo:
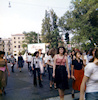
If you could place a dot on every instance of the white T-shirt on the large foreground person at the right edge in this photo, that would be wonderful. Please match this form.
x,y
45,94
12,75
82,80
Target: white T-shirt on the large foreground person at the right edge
x,y
91,71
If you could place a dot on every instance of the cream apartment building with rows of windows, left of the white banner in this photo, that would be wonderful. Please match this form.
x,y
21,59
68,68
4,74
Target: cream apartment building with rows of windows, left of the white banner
x,y
17,40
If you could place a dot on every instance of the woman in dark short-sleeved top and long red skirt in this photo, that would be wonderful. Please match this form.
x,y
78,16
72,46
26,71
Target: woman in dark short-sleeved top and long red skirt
x,y
77,72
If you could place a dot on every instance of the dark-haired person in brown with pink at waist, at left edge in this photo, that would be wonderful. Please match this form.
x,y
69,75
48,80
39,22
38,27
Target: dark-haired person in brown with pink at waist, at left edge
x,y
3,73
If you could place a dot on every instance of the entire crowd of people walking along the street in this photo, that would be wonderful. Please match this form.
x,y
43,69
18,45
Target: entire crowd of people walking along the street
x,y
81,67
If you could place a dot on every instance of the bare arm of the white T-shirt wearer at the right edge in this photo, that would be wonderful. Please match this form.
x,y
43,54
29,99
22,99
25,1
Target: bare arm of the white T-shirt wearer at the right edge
x,y
82,89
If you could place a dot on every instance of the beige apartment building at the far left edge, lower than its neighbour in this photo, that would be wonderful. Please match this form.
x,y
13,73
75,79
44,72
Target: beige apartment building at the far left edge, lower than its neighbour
x,y
6,45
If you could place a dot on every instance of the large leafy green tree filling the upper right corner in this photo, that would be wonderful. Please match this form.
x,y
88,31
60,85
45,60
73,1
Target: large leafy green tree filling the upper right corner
x,y
82,21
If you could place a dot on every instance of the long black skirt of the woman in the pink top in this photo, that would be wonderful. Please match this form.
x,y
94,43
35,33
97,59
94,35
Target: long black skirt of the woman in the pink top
x,y
61,78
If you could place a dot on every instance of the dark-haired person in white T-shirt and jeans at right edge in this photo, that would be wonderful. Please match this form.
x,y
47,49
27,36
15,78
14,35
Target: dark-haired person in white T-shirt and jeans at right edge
x,y
90,79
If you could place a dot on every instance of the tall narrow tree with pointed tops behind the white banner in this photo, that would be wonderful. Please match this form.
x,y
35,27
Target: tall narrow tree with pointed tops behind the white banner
x,y
50,31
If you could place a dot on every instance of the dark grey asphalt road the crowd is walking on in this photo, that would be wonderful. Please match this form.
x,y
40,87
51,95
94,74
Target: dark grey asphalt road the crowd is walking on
x,y
20,87
